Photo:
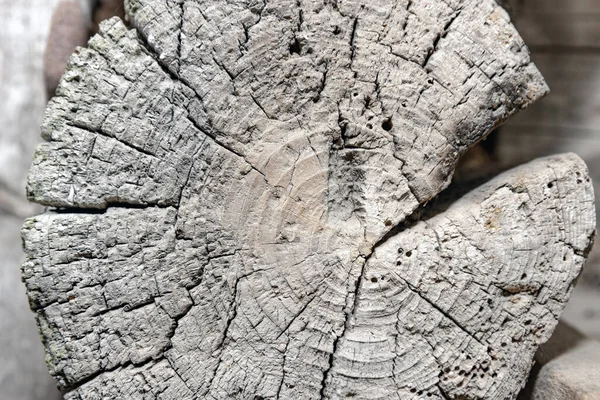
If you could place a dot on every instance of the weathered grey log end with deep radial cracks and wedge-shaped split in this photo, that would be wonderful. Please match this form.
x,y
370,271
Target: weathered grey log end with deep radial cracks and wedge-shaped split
x,y
231,181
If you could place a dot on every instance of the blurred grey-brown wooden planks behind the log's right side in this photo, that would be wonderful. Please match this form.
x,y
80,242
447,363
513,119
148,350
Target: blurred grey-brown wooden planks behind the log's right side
x,y
564,37
